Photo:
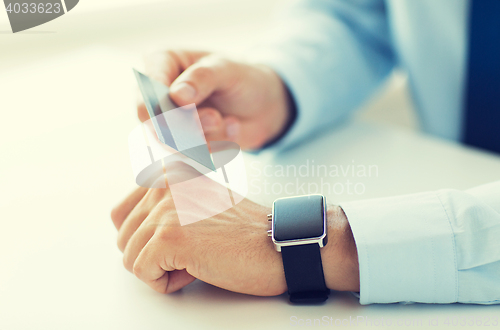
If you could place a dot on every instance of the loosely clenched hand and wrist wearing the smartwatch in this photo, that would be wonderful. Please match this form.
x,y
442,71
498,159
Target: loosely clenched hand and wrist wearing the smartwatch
x,y
230,250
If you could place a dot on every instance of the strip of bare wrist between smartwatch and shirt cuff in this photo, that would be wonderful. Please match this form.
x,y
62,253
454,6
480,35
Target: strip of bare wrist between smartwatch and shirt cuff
x,y
340,256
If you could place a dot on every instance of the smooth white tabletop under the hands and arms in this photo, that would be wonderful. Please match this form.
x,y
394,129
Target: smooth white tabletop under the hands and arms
x,y
64,164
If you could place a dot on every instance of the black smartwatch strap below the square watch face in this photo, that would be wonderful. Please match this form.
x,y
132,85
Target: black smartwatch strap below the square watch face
x,y
304,273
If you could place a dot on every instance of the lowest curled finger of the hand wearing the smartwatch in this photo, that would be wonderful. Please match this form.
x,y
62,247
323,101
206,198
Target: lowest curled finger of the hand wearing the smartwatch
x,y
152,268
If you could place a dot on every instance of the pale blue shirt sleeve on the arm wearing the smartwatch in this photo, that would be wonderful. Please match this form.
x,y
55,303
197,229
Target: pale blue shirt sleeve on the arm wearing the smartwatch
x,y
433,247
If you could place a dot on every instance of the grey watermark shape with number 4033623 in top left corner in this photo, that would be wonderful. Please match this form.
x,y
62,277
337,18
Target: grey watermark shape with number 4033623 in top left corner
x,y
26,14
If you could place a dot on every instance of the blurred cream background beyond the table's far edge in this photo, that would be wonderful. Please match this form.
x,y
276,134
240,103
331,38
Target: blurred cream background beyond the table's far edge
x,y
136,27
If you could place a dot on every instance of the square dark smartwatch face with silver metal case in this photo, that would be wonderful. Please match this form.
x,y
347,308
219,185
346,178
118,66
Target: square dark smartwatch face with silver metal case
x,y
298,218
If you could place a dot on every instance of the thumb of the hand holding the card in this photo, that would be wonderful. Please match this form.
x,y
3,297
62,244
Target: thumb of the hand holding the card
x,y
202,79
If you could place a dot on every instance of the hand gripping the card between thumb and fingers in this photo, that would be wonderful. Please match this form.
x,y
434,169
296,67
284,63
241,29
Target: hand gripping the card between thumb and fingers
x,y
244,103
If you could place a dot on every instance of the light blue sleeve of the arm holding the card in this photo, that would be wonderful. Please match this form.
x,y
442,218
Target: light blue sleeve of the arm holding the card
x,y
321,53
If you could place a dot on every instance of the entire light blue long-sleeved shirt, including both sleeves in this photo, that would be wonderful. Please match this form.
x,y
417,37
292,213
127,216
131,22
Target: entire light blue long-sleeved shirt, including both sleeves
x,y
435,247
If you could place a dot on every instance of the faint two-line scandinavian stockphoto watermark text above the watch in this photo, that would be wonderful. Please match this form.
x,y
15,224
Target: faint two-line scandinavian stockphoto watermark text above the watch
x,y
310,177
